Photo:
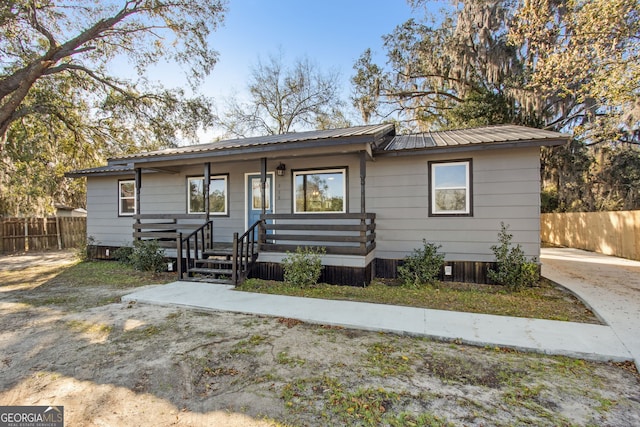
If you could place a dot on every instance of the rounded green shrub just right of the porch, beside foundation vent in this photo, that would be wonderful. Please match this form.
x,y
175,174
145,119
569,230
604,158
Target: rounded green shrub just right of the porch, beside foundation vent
x,y
422,267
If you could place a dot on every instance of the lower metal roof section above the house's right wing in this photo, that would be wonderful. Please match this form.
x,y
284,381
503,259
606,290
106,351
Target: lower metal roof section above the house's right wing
x,y
476,136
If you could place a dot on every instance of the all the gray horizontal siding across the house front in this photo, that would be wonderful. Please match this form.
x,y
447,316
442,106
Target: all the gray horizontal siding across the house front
x,y
506,187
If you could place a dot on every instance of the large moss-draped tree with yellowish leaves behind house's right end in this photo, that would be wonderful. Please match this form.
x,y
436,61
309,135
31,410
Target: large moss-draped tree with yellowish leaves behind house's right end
x,y
565,65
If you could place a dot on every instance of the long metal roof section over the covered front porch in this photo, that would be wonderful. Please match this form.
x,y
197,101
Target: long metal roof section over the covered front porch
x,y
371,131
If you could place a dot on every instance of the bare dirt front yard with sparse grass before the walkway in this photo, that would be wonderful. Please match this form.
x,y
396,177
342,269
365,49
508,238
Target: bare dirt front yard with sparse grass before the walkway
x,y
117,364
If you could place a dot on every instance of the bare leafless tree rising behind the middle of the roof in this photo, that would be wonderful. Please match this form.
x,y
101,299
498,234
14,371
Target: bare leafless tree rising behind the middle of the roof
x,y
285,99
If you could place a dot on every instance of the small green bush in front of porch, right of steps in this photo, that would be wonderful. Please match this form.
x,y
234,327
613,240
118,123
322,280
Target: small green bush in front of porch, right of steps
x,y
303,268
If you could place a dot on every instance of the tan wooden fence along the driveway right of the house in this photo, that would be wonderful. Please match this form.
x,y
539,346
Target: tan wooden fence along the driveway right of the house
x,y
610,233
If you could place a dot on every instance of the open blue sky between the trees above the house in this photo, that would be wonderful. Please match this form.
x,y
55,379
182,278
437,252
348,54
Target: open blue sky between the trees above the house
x,y
331,33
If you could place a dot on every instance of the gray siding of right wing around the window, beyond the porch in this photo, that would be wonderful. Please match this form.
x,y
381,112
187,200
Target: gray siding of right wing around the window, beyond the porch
x,y
506,187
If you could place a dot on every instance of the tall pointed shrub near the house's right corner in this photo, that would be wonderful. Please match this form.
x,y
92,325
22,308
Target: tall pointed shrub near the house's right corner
x,y
514,270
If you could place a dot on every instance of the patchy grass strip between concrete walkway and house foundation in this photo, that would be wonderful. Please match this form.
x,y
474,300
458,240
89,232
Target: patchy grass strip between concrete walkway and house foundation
x,y
547,301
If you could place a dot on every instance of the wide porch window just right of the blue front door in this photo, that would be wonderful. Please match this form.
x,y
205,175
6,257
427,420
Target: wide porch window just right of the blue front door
x,y
320,191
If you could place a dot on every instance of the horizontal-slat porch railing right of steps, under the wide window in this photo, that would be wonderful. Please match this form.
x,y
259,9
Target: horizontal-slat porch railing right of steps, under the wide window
x,y
339,234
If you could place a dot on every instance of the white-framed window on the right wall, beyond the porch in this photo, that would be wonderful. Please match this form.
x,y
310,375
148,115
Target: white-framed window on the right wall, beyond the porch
x,y
450,190
